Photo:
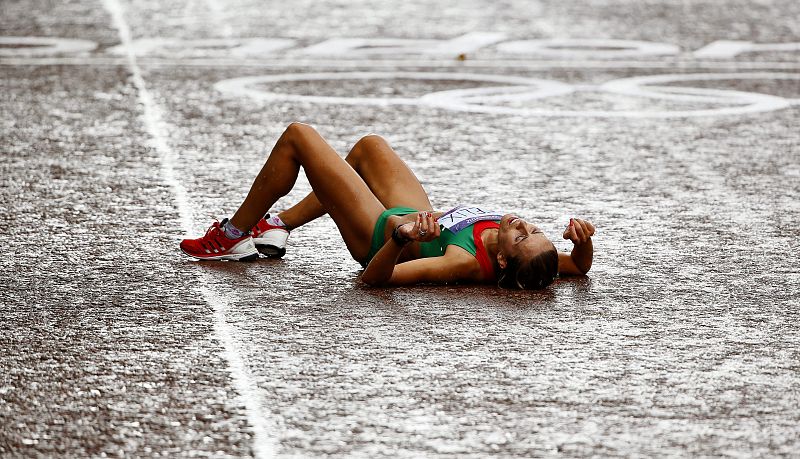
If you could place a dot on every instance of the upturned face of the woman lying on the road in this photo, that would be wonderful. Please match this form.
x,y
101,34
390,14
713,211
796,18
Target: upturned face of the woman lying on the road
x,y
519,239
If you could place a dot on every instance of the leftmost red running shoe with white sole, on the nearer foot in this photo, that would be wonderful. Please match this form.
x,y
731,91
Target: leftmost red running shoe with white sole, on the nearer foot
x,y
216,246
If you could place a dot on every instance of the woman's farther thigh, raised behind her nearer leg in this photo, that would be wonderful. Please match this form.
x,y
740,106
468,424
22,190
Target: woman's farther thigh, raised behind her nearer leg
x,y
388,176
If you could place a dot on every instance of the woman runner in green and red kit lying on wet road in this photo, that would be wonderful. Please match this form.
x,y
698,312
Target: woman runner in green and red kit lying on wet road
x,y
387,222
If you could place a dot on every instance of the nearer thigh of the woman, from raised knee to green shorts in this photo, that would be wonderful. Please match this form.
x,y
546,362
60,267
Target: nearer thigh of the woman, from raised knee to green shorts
x,y
341,191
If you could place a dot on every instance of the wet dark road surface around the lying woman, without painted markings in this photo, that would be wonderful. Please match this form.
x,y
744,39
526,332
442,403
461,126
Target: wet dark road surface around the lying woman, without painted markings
x,y
682,341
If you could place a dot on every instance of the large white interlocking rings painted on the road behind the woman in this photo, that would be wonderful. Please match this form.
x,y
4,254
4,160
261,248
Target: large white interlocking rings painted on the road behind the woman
x,y
515,89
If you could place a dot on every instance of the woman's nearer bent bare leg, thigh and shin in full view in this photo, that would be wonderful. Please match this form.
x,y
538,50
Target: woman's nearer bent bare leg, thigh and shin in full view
x,y
337,187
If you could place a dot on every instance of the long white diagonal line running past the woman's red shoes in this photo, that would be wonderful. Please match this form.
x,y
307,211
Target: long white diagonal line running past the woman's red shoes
x,y
264,443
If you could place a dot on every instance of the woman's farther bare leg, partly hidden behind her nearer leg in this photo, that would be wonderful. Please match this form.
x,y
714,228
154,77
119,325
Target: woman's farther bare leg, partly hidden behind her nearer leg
x,y
386,175
